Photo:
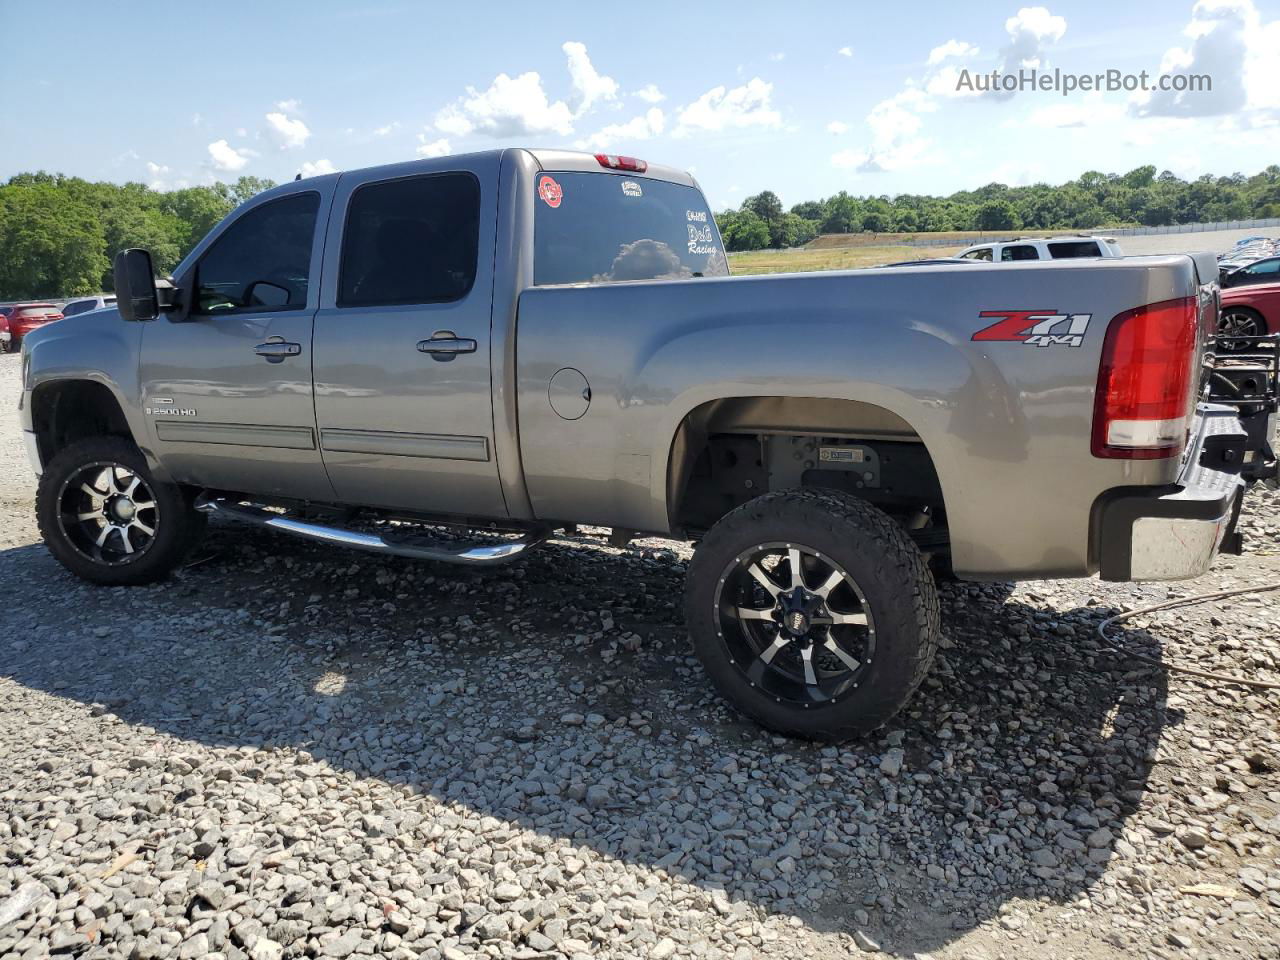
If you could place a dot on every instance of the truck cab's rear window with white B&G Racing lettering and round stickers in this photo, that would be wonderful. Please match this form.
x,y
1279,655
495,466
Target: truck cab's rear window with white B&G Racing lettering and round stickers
x,y
605,228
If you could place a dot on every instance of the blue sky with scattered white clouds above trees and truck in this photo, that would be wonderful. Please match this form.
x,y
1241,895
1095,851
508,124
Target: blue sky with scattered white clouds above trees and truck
x,y
803,99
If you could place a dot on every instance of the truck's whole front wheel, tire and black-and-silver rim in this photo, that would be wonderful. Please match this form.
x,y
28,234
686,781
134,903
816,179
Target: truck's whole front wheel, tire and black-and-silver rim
x,y
108,520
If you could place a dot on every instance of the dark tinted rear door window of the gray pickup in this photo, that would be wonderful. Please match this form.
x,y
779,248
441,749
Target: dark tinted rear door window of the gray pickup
x,y
412,241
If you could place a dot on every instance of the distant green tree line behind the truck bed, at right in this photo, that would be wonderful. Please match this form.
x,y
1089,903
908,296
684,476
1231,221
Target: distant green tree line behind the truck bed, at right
x,y
1095,200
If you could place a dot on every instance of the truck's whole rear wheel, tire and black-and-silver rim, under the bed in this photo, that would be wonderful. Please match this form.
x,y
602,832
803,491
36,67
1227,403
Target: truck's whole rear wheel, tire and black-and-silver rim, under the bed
x,y
812,612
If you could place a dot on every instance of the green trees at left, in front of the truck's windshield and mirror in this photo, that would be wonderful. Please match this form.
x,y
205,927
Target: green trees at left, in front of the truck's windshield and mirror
x,y
58,234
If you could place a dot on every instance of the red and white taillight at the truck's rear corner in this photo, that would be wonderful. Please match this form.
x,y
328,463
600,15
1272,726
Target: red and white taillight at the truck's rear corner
x,y
1145,396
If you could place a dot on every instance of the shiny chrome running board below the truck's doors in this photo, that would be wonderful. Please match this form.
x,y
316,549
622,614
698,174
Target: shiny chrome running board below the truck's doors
x,y
474,555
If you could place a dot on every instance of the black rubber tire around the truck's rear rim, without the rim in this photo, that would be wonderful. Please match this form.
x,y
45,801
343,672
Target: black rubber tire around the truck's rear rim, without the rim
x,y
892,574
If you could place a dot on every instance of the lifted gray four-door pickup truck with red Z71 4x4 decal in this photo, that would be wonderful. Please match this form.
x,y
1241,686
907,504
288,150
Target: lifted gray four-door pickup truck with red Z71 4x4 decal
x,y
523,341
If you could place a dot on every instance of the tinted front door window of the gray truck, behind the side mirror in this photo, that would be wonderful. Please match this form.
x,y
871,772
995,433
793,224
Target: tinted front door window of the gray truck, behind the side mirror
x,y
263,262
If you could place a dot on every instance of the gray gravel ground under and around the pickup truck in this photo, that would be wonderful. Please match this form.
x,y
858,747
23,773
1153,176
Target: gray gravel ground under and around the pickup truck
x,y
290,751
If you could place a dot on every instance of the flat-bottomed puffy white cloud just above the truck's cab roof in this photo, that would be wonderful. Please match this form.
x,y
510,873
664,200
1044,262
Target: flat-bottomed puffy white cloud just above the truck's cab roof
x,y
510,108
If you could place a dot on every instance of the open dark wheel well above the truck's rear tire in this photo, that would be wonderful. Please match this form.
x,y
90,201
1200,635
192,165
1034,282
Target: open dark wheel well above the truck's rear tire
x,y
729,452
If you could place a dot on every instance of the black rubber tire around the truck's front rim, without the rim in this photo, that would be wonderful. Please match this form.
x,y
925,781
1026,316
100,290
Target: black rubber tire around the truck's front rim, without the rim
x,y
177,531
